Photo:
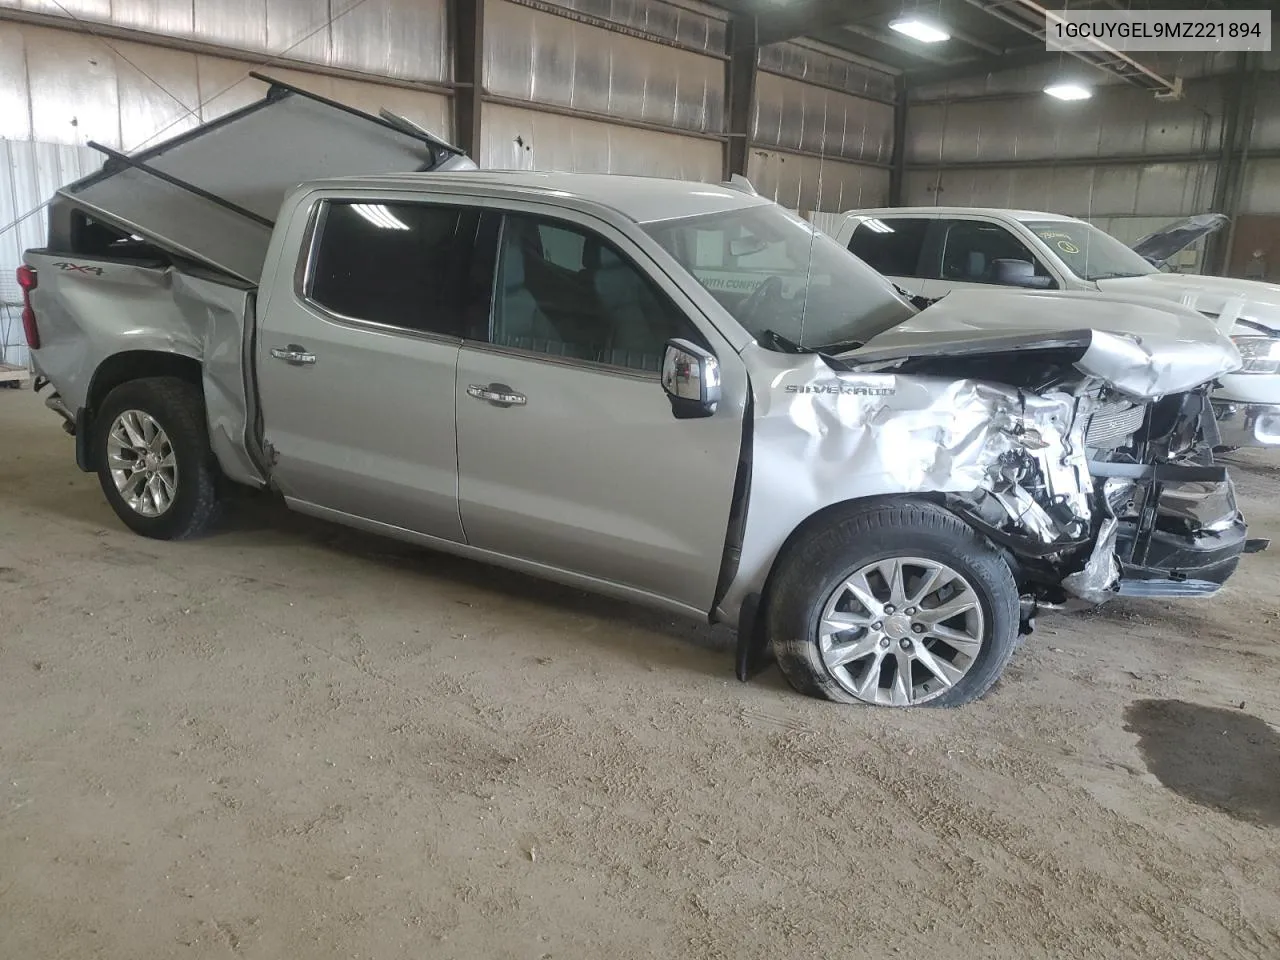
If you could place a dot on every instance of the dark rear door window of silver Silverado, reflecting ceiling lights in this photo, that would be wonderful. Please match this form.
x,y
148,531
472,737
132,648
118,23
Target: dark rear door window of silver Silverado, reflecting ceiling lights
x,y
396,264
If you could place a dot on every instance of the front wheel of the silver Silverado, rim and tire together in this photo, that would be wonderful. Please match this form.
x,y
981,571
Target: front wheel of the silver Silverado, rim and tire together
x,y
894,605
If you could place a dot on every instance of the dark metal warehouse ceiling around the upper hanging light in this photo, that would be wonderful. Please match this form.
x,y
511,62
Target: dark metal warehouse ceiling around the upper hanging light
x,y
986,35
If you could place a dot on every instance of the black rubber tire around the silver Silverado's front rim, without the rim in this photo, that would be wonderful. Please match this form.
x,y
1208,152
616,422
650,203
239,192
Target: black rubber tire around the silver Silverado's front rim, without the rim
x,y
813,568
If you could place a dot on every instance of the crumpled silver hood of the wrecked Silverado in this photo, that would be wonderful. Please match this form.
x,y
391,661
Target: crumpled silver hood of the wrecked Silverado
x,y
1141,346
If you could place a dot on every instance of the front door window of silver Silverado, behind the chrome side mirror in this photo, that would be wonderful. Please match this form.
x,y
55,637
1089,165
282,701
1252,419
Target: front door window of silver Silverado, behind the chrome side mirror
x,y
566,292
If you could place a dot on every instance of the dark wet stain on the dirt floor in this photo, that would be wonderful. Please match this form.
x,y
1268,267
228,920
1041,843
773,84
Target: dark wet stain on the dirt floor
x,y
1220,758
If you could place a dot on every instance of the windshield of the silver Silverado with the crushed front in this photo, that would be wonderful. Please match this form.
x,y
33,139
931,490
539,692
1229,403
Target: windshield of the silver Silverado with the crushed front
x,y
757,263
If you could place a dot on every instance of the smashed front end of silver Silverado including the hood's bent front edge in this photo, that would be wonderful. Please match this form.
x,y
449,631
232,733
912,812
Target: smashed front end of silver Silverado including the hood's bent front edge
x,y
1099,470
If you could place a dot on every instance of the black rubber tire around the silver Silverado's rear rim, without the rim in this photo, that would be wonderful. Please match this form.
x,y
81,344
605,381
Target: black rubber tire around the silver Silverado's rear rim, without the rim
x,y
179,408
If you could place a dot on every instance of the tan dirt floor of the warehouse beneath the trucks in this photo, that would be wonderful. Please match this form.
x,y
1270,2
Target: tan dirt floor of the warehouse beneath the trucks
x,y
294,742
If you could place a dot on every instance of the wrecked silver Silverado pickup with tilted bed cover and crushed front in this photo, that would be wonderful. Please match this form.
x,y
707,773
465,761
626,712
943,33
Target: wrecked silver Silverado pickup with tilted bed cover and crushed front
x,y
675,394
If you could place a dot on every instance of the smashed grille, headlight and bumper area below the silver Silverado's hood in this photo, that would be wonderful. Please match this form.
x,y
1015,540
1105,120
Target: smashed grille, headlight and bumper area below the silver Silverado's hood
x,y
1110,496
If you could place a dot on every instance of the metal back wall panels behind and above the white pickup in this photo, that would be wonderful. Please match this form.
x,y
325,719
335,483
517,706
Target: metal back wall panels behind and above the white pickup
x,y
1122,157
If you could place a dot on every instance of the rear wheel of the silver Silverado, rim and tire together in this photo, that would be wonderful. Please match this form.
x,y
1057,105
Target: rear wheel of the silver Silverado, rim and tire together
x,y
154,461
